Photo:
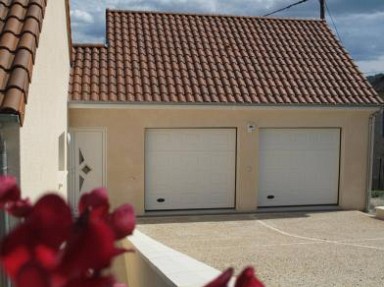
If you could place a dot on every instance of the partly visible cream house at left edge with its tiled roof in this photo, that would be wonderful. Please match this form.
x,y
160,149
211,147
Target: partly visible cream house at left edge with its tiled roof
x,y
34,71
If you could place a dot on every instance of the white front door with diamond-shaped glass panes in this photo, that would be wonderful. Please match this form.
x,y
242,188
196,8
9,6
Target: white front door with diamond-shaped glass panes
x,y
87,162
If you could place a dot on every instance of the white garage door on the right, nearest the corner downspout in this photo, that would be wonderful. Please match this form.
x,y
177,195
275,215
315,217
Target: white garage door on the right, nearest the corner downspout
x,y
298,167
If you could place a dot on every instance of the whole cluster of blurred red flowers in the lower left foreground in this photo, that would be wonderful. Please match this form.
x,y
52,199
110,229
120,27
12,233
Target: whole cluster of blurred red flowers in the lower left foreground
x,y
48,249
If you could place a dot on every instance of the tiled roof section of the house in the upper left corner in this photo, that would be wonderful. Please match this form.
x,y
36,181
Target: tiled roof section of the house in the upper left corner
x,y
20,26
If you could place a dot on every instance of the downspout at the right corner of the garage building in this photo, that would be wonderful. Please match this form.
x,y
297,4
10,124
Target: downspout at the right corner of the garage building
x,y
370,157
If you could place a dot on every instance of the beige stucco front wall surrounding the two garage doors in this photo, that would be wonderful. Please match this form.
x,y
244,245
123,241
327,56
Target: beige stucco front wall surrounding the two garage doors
x,y
125,141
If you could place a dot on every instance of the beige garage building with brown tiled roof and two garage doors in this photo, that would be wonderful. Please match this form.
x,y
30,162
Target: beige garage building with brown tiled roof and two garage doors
x,y
181,112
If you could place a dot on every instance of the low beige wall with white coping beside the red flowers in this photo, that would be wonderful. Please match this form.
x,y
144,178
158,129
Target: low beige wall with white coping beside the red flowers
x,y
156,265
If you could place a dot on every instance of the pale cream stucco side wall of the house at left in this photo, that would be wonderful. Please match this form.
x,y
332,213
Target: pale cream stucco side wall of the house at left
x,y
46,110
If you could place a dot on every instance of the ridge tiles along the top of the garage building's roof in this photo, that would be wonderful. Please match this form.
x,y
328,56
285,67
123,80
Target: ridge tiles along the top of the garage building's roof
x,y
212,15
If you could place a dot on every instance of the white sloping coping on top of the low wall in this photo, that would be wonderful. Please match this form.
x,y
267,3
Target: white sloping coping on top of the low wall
x,y
176,268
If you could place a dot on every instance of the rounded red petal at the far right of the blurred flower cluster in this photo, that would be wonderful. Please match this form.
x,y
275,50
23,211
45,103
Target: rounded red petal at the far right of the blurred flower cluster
x,y
122,221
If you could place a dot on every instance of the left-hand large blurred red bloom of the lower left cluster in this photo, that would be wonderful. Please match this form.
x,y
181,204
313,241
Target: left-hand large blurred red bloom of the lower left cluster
x,y
39,237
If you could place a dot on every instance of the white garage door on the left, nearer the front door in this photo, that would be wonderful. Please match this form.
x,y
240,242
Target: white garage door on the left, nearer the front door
x,y
190,168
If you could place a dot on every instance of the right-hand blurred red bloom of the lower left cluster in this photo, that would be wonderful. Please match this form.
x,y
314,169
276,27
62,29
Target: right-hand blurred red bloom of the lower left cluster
x,y
91,245
